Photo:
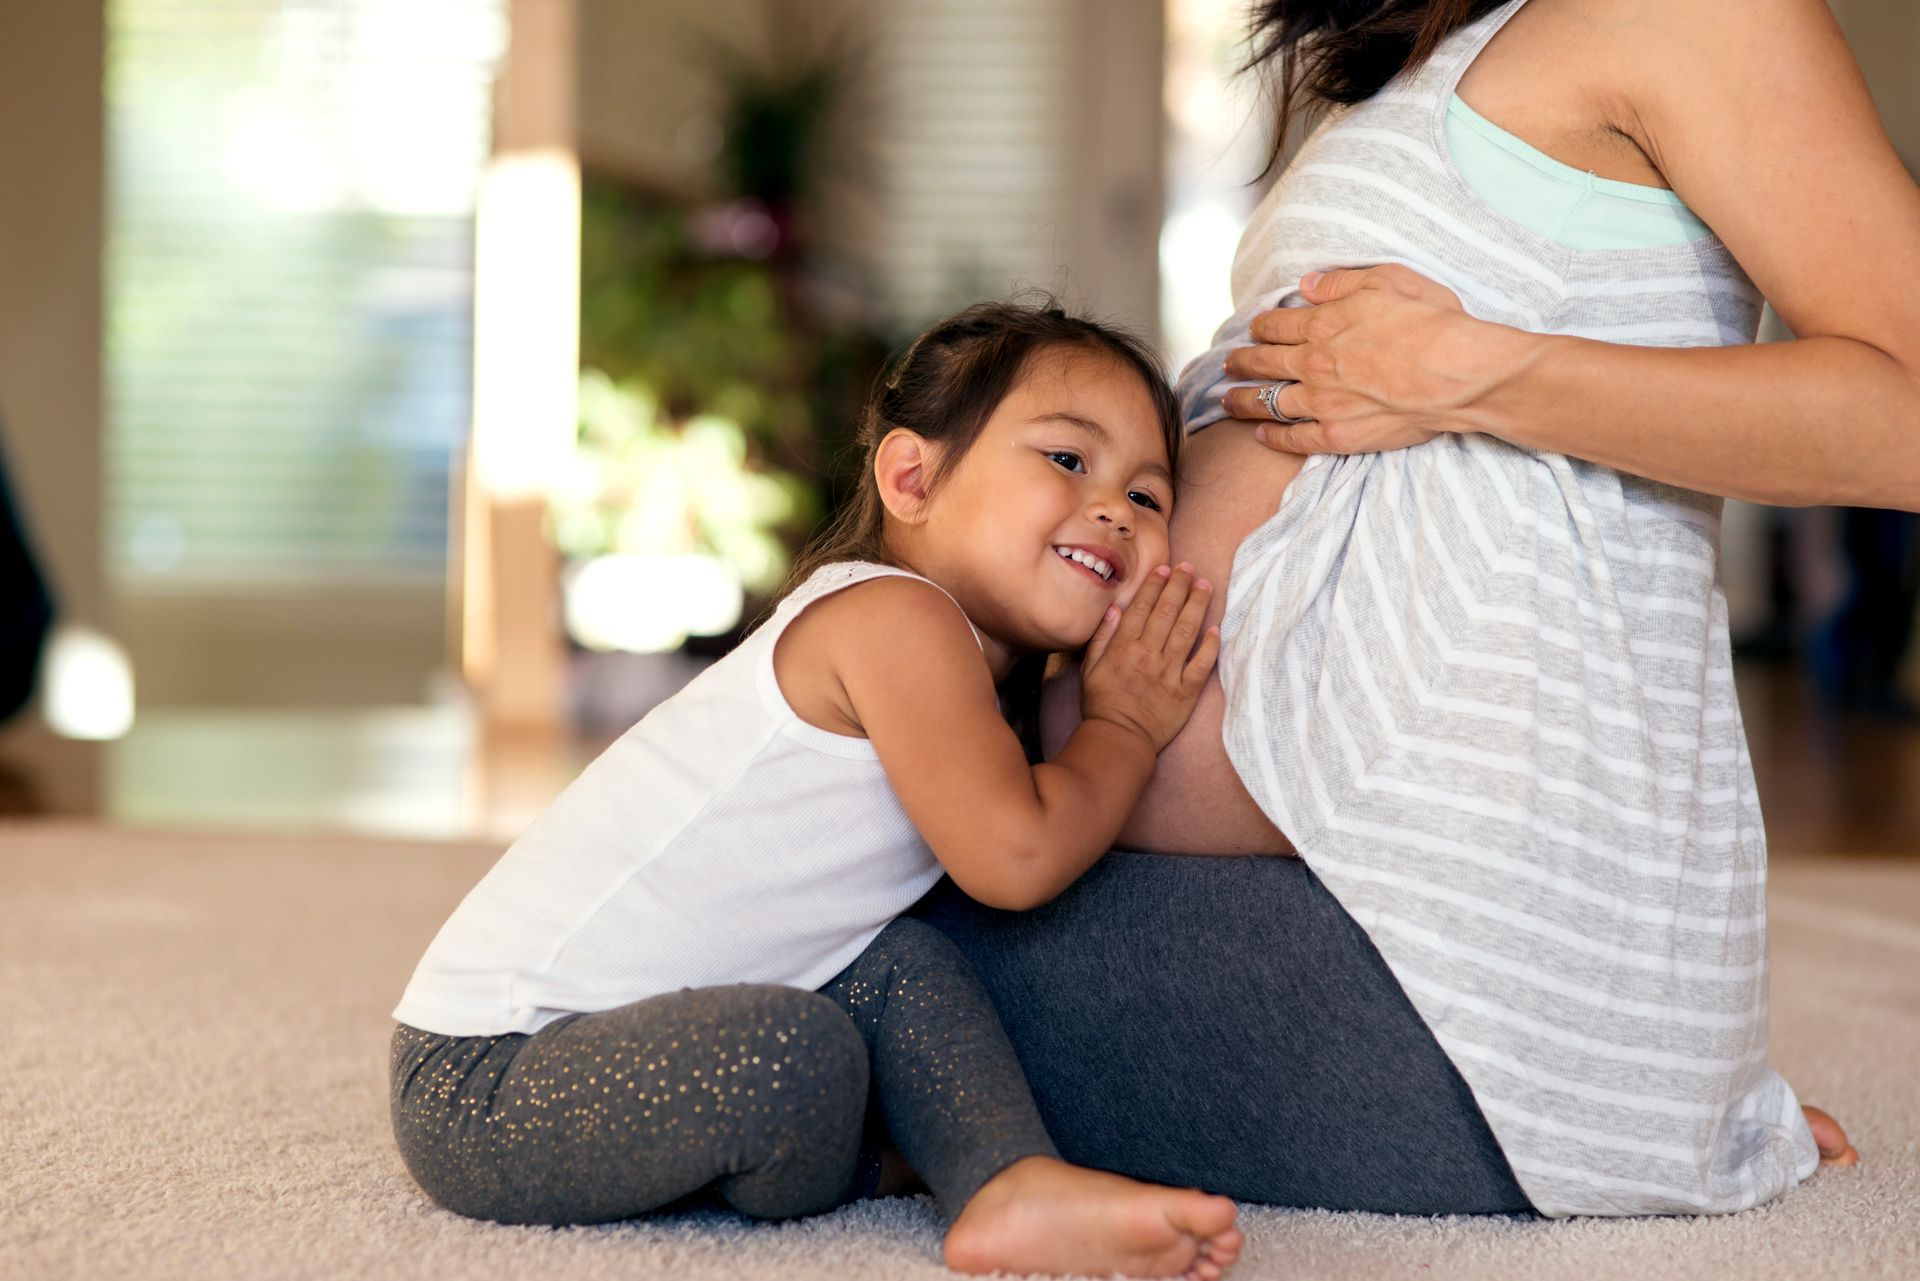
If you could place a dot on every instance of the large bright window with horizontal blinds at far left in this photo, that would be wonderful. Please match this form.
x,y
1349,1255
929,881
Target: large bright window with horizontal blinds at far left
x,y
289,278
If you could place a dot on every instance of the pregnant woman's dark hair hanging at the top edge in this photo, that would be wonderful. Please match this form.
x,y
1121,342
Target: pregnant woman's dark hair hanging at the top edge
x,y
1332,53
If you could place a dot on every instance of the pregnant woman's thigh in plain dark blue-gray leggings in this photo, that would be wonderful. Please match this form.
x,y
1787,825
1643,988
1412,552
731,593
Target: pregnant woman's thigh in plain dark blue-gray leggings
x,y
1224,1023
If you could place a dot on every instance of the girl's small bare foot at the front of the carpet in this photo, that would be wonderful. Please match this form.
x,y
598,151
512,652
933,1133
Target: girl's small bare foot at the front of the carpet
x,y
1044,1215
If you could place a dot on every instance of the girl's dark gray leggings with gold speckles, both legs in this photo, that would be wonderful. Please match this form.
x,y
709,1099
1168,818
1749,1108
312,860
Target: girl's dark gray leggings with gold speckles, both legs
x,y
757,1094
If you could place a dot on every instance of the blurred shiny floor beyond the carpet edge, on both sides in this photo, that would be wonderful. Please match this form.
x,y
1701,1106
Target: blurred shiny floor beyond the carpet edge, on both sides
x,y
1829,785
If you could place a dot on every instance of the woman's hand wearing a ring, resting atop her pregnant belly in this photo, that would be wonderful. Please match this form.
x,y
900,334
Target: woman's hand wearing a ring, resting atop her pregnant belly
x,y
1383,360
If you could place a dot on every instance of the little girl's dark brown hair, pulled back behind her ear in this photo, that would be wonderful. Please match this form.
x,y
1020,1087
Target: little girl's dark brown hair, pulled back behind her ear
x,y
946,387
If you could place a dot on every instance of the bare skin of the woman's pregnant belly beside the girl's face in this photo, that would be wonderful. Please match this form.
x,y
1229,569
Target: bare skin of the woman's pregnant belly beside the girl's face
x,y
1195,802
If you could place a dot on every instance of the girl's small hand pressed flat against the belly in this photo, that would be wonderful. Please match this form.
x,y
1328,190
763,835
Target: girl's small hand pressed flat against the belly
x,y
1138,671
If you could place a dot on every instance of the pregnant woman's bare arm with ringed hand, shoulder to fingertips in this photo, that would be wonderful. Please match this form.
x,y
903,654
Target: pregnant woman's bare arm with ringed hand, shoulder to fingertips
x,y
1760,118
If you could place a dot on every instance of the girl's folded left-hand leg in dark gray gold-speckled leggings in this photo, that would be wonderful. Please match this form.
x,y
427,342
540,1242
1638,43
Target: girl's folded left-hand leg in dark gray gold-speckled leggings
x,y
759,1092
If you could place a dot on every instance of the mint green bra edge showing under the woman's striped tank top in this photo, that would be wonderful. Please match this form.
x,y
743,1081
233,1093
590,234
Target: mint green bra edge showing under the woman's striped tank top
x,y
1558,201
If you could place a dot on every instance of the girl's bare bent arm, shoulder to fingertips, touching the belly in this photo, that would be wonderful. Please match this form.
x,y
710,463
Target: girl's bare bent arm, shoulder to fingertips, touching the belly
x,y
1011,834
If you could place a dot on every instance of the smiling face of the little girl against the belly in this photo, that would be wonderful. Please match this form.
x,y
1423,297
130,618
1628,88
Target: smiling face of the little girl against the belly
x,y
1070,464
